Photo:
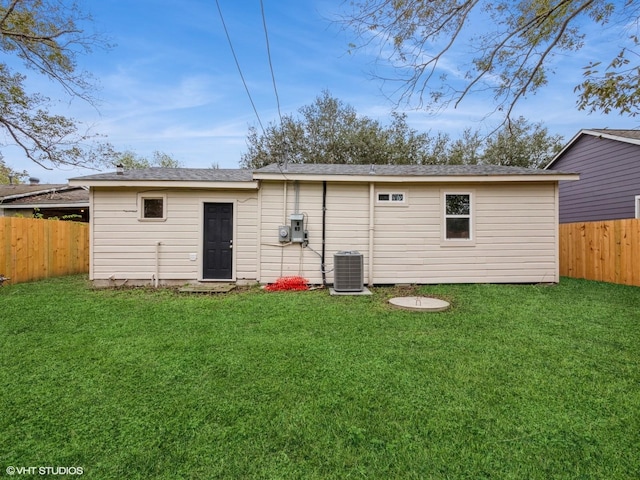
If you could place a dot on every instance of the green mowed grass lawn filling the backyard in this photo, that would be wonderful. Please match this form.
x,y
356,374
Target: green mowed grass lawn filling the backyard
x,y
513,382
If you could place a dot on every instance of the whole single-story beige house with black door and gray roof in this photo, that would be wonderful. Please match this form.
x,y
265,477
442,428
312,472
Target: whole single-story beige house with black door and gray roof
x,y
408,224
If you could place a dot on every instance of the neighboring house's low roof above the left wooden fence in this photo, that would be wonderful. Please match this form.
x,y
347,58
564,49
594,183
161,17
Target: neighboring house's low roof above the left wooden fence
x,y
17,196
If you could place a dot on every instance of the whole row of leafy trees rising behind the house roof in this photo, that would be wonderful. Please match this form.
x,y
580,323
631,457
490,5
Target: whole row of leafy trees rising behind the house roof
x,y
329,131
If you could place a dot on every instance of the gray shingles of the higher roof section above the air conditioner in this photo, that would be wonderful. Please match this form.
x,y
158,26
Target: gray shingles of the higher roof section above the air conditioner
x,y
402,170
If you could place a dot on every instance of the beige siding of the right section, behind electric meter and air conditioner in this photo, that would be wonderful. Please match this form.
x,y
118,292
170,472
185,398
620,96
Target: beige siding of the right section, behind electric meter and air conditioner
x,y
514,232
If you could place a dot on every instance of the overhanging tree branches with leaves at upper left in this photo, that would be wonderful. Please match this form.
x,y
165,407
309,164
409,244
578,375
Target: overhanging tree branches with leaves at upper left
x,y
46,37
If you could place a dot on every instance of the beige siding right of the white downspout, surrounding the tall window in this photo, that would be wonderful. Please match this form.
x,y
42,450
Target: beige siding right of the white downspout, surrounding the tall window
x,y
514,236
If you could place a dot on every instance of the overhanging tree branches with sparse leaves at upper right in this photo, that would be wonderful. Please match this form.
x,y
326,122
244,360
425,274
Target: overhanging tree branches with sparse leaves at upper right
x,y
512,59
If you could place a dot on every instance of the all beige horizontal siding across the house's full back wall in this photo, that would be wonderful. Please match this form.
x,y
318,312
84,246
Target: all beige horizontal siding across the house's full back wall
x,y
514,232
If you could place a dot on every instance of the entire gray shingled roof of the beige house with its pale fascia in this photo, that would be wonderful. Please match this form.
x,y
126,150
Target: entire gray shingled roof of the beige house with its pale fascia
x,y
242,178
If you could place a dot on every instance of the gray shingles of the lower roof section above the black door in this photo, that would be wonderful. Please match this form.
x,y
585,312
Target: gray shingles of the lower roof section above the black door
x,y
175,174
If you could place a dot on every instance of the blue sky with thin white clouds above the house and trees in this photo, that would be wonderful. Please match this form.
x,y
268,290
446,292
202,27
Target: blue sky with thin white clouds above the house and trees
x,y
170,83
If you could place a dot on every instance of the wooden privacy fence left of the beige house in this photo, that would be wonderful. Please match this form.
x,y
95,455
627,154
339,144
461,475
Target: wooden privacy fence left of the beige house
x,y
32,249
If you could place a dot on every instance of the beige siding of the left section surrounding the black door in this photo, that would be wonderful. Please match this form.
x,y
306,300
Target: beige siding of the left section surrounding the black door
x,y
125,248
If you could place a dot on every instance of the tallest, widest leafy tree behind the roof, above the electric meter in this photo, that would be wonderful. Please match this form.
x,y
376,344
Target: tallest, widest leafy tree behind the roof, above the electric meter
x,y
329,131
